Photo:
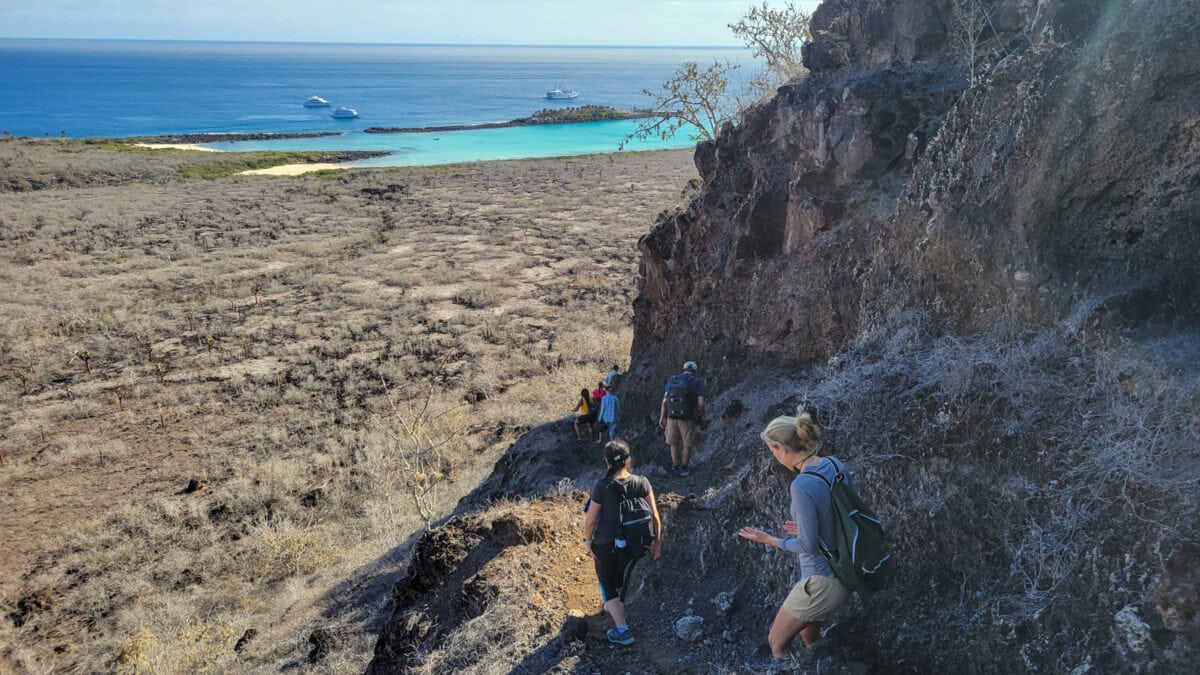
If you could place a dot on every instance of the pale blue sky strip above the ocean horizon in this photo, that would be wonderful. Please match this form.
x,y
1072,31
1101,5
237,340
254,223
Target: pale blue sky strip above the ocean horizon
x,y
475,22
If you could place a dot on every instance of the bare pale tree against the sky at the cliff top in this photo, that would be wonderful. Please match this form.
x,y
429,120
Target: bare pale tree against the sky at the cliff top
x,y
775,35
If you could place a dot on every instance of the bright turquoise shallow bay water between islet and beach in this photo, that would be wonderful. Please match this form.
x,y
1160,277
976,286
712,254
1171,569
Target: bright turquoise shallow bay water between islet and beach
x,y
454,147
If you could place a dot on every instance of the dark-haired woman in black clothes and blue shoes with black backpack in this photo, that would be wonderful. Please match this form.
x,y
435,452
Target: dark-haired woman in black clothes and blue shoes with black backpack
x,y
622,525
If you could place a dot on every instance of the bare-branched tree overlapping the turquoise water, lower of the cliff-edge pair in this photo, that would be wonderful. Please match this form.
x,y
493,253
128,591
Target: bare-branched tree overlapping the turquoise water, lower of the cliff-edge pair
x,y
693,100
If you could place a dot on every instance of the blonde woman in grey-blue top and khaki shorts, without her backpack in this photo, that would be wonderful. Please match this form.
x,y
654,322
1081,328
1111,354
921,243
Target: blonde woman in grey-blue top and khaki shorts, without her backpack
x,y
795,443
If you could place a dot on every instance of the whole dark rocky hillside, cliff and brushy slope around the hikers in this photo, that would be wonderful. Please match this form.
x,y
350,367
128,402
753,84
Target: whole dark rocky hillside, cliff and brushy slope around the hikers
x,y
988,296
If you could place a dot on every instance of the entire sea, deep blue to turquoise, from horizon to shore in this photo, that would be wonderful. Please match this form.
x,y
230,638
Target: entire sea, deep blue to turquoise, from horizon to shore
x,y
135,88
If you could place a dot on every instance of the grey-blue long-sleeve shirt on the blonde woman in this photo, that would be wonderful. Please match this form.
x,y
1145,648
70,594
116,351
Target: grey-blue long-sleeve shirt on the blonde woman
x,y
813,513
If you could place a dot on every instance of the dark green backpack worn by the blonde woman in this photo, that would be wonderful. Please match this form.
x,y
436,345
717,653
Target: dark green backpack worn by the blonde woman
x,y
862,560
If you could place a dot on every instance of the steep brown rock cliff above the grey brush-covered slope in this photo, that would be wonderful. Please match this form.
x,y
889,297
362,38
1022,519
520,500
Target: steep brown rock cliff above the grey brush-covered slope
x,y
1061,186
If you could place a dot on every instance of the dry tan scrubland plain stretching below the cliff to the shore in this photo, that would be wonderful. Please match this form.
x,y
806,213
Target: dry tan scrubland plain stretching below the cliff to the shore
x,y
227,405
